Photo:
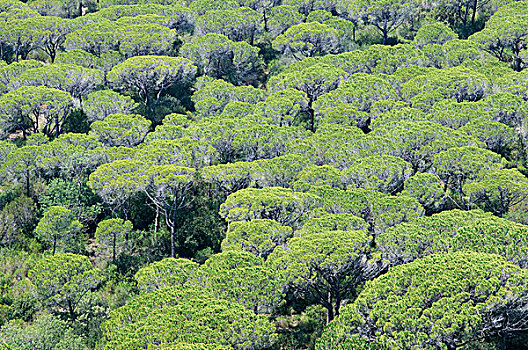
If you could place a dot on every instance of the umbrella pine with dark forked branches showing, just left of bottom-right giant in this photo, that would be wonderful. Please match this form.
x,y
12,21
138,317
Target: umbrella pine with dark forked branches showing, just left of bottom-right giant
x,y
328,266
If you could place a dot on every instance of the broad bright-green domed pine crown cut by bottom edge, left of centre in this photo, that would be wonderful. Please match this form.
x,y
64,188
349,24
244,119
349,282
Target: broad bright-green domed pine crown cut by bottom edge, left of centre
x,y
186,315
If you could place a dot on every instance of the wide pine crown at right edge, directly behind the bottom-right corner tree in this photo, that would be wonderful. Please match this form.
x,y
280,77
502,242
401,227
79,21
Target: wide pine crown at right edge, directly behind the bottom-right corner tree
x,y
452,231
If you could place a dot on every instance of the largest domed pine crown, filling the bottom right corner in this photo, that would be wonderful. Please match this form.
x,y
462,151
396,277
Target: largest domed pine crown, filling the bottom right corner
x,y
441,301
